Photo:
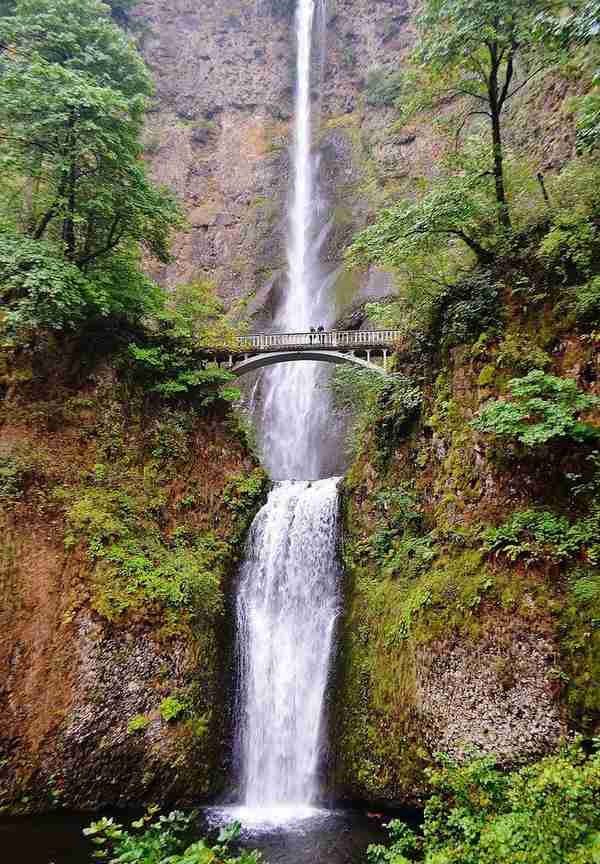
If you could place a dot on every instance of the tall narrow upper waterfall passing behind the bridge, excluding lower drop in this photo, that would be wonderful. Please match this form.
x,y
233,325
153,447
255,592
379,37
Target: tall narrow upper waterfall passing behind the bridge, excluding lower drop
x,y
296,410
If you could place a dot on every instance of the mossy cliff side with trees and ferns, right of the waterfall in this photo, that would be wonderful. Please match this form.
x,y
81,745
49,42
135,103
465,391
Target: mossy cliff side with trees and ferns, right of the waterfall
x,y
472,505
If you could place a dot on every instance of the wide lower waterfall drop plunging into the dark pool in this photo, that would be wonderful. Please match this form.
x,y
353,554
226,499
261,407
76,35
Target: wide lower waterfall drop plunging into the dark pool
x,y
287,605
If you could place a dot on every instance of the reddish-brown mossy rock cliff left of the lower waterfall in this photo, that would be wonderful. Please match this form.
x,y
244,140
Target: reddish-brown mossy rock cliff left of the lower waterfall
x,y
121,526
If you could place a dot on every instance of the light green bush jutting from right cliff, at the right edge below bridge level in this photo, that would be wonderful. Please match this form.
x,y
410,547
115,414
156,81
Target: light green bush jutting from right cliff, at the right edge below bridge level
x,y
543,409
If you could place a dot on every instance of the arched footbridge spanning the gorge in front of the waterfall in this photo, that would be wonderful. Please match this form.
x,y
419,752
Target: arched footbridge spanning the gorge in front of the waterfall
x,y
360,347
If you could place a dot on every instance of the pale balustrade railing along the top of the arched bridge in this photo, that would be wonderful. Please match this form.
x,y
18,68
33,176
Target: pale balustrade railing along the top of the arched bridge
x,y
327,339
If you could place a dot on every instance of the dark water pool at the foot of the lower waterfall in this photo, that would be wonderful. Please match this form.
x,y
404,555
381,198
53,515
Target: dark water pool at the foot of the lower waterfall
x,y
322,837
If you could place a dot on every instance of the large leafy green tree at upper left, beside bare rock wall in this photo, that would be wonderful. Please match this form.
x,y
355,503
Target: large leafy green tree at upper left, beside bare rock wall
x,y
73,91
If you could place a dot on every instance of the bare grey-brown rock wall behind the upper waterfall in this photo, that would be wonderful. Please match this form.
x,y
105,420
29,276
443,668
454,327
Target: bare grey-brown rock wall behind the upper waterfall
x,y
219,135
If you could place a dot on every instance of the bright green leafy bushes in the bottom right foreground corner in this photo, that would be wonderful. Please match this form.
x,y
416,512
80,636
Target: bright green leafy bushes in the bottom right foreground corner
x,y
546,813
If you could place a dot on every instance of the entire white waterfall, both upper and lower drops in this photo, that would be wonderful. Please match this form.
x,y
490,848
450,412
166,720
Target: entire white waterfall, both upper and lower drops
x,y
289,588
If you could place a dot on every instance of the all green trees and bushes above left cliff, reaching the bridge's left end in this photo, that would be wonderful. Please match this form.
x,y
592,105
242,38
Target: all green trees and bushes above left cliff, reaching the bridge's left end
x,y
78,207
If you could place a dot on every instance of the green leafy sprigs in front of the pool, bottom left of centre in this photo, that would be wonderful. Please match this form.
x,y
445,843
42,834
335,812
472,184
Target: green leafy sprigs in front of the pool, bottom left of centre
x,y
163,840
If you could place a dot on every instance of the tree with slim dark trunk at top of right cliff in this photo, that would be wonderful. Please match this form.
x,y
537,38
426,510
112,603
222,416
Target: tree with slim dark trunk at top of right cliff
x,y
475,49
